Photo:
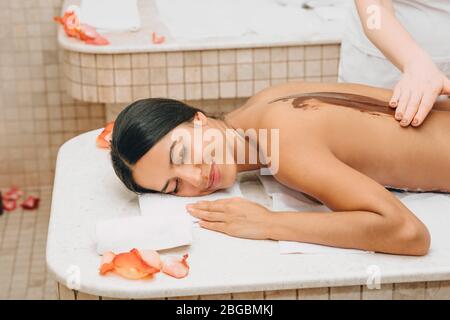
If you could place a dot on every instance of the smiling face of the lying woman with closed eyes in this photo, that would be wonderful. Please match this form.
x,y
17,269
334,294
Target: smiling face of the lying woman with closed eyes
x,y
177,163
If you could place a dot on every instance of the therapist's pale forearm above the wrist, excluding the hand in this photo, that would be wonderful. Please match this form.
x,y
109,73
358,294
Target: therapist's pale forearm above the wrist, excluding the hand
x,y
391,38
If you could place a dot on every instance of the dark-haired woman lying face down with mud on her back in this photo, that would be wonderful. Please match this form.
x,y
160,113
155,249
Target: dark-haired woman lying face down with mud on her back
x,y
338,143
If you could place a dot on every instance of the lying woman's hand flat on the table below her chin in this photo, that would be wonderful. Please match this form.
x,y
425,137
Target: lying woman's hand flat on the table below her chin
x,y
236,217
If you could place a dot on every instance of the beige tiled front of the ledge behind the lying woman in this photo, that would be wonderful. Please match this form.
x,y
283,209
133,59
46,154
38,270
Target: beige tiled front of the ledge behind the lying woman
x,y
194,75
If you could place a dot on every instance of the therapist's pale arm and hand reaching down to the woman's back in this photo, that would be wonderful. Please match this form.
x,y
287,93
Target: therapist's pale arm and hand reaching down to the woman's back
x,y
422,82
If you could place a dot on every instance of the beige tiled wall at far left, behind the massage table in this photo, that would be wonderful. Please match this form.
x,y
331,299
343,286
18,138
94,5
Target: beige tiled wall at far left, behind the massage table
x,y
36,116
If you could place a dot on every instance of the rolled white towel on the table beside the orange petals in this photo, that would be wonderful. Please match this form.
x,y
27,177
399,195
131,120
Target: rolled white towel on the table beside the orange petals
x,y
143,232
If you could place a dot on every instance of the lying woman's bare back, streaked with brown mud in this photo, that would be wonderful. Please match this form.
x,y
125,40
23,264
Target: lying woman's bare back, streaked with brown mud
x,y
363,137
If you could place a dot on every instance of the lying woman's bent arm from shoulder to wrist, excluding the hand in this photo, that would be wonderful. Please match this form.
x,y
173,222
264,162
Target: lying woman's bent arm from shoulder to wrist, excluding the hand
x,y
366,216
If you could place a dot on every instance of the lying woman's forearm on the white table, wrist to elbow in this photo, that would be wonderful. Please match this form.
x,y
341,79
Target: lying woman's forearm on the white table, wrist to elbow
x,y
353,229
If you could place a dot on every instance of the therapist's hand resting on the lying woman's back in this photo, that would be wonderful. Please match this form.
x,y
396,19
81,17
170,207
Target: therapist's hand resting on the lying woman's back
x,y
416,92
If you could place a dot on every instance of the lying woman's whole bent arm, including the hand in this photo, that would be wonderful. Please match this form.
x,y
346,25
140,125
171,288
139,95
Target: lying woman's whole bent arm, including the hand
x,y
366,215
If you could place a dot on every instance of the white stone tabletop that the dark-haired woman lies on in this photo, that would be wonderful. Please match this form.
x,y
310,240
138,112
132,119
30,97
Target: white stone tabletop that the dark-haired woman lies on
x,y
86,191
